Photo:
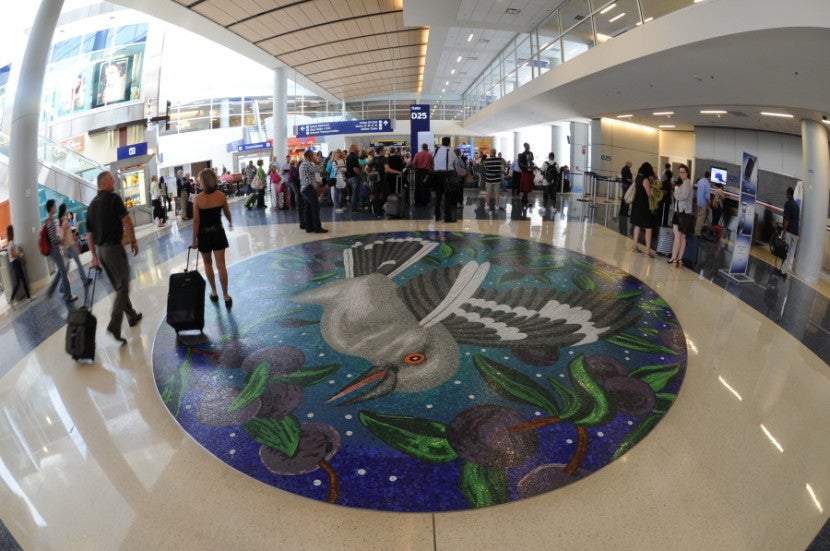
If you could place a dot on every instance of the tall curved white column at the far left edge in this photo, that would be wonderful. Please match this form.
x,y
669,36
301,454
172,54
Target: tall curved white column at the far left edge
x,y
23,165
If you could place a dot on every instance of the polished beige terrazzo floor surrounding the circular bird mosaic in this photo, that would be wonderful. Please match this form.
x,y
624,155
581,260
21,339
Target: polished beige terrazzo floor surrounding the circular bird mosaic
x,y
92,458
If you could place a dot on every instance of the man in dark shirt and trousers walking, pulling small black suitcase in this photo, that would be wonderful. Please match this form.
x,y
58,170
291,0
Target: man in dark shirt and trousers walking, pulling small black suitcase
x,y
107,220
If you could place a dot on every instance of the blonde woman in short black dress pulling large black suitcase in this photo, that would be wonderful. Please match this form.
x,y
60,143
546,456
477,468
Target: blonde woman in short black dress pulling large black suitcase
x,y
208,233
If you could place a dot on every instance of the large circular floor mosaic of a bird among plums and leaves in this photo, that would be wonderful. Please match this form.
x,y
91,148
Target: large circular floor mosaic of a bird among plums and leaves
x,y
424,371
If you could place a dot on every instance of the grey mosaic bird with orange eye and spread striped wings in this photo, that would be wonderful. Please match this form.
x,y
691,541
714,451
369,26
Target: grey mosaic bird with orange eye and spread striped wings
x,y
410,333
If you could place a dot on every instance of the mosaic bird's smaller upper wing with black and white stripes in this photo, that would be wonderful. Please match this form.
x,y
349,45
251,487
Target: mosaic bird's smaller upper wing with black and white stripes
x,y
388,257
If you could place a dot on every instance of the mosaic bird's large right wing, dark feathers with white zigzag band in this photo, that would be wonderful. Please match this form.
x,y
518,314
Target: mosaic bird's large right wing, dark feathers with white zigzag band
x,y
534,317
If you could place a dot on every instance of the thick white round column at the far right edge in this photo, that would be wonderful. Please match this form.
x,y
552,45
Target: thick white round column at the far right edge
x,y
816,171
